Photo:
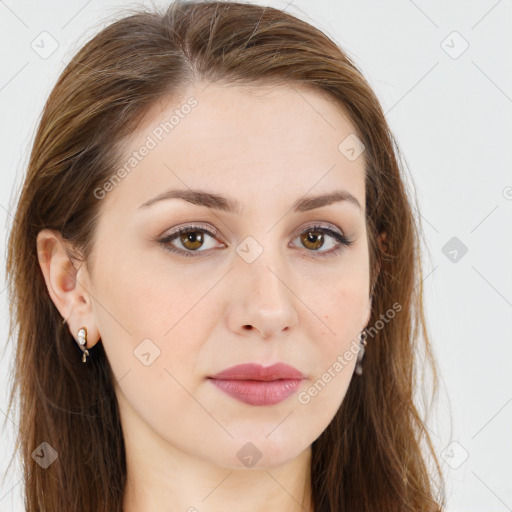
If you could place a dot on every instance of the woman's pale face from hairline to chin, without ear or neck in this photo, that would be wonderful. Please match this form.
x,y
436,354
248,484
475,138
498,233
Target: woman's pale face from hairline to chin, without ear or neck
x,y
246,284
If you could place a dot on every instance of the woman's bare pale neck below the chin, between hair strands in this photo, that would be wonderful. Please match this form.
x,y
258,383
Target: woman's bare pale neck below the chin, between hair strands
x,y
184,484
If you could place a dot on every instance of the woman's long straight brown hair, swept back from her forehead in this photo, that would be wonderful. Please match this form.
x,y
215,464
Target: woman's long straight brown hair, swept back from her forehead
x,y
376,454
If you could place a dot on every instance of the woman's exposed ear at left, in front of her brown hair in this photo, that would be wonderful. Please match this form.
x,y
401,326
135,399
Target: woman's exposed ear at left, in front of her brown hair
x,y
67,286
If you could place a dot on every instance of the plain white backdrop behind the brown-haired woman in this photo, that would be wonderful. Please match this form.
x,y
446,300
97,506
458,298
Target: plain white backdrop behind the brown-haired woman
x,y
443,73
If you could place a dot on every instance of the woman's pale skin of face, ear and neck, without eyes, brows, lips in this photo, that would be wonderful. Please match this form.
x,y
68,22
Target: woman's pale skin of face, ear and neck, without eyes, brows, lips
x,y
265,147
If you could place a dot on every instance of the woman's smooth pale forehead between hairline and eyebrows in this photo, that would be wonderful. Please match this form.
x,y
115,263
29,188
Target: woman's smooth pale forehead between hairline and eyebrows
x,y
248,141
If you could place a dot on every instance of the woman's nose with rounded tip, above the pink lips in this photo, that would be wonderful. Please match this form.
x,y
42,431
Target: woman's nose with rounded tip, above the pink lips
x,y
263,299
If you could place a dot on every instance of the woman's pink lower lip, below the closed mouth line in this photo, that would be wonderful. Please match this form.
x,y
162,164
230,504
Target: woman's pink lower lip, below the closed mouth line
x,y
255,392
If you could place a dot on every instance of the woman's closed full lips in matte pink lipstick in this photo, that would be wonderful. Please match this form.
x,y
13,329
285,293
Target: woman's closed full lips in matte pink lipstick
x,y
254,384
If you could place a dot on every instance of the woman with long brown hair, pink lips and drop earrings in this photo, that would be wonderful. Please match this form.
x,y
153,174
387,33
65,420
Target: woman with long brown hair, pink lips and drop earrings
x,y
212,230
